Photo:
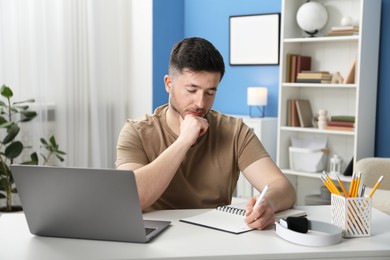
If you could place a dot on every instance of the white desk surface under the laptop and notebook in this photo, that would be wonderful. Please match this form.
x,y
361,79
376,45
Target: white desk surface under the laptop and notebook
x,y
186,241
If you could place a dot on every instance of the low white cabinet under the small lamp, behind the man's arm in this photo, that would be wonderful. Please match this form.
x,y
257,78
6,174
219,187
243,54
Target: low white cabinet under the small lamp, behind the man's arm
x,y
265,129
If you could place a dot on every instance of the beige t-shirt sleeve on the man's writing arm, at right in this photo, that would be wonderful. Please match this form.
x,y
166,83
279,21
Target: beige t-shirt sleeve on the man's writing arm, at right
x,y
251,148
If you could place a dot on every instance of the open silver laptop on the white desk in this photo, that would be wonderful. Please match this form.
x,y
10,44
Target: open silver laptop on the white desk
x,y
84,203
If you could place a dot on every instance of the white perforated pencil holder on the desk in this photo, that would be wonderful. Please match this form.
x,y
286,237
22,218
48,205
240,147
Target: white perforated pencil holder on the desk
x,y
353,215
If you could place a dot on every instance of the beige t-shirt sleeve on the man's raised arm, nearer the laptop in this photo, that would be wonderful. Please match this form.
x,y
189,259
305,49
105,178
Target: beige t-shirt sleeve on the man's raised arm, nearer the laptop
x,y
130,148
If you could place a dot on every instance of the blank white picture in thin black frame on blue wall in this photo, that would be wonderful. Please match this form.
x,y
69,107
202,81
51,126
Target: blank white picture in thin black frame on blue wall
x,y
254,39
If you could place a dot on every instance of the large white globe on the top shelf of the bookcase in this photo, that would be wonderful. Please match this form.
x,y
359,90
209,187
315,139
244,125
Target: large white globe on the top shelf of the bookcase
x,y
312,17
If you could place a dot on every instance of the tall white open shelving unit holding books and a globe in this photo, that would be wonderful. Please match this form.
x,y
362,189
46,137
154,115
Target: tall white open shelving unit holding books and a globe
x,y
333,54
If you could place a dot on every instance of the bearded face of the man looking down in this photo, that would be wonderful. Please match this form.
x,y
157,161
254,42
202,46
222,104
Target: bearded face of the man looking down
x,y
192,92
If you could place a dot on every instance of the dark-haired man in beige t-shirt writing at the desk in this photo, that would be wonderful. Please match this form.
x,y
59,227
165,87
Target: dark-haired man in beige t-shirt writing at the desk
x,y
186,155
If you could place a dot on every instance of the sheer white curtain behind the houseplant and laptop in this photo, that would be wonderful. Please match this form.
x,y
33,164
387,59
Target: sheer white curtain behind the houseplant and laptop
x,y
86,60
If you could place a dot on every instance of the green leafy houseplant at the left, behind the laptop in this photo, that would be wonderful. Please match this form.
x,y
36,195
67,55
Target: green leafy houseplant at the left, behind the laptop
x,y
12,114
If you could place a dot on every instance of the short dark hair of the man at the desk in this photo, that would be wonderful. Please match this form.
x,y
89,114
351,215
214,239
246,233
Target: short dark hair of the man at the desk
x,y
196,54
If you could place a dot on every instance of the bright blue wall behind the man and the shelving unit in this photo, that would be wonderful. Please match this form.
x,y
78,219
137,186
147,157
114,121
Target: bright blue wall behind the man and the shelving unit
x,y
176,19
